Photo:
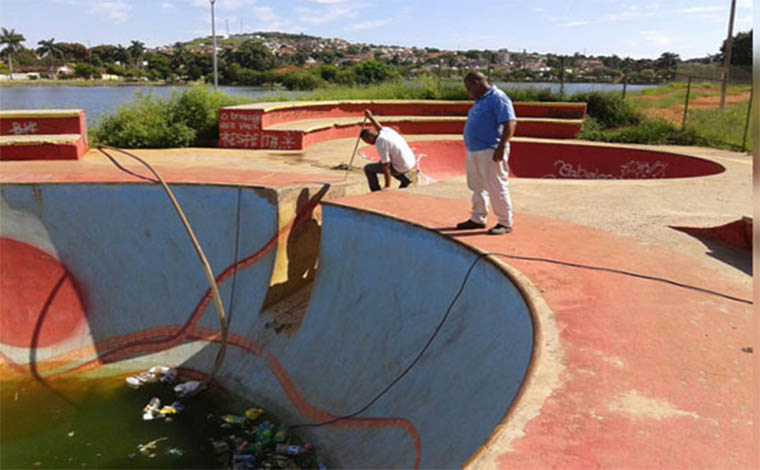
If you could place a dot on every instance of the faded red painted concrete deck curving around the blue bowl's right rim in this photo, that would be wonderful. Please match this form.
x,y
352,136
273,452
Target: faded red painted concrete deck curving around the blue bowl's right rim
x,y
655,375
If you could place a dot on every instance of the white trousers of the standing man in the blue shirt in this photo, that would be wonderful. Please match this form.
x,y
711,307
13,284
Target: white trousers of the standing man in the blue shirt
x,y
488,179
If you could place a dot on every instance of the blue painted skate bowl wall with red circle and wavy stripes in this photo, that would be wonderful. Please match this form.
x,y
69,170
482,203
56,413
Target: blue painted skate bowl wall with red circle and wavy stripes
x,y
99,279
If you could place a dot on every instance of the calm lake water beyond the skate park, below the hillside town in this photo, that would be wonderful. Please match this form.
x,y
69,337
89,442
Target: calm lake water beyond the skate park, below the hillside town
x,y
97,100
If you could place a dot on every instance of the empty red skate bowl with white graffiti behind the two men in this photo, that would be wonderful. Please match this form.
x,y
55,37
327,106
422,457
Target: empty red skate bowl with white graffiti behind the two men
x,y
442,159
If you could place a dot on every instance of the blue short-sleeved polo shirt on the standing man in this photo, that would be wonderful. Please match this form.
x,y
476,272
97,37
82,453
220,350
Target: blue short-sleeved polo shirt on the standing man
x,y
485,121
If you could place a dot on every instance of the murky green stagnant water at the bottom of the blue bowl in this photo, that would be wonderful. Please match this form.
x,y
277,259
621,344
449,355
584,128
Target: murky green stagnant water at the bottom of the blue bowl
x,y
97,423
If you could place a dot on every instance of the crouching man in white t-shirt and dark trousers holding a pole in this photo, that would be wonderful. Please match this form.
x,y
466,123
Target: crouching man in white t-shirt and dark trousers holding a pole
x,y
396,158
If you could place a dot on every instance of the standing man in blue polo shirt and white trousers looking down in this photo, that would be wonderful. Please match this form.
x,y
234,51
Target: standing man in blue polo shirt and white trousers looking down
x,y
490,126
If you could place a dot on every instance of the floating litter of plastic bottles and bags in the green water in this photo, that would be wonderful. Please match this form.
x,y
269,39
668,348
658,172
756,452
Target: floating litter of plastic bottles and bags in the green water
x,y
239,441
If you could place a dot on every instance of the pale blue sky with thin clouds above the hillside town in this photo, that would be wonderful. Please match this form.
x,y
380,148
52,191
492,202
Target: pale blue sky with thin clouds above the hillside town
x,y
637,29
